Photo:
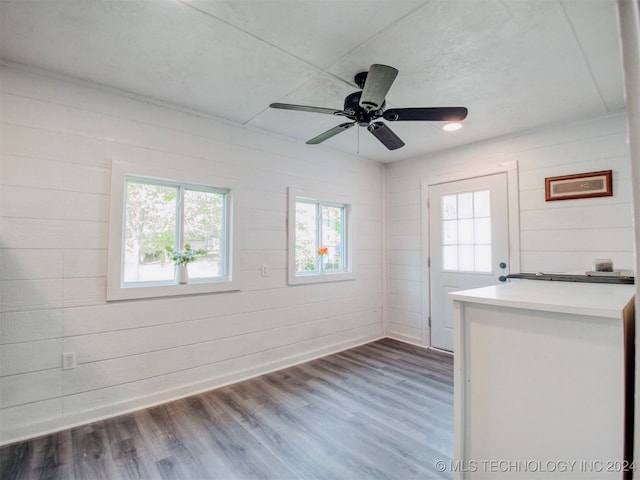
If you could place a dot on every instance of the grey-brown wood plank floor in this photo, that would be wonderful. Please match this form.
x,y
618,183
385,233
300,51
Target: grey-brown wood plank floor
x,y
382,410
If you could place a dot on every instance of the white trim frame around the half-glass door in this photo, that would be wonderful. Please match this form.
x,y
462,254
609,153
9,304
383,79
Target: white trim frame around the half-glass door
x,y
465,173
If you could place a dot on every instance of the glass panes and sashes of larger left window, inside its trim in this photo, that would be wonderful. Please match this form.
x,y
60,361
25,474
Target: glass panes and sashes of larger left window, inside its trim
x,y
162,217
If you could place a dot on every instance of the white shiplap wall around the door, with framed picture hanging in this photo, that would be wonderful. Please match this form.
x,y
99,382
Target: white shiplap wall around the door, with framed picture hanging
x,y
561,236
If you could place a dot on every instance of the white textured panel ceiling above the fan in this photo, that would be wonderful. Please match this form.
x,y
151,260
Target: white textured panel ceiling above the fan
x,y
515,64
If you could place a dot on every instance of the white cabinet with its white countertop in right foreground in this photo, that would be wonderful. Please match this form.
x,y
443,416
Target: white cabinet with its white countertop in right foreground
x,y
539,393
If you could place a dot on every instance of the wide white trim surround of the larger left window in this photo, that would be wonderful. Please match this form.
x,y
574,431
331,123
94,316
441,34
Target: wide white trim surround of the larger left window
x,y
116,289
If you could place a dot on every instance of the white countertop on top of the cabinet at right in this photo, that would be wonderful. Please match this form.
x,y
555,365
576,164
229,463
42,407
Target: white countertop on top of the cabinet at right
x,y
592,299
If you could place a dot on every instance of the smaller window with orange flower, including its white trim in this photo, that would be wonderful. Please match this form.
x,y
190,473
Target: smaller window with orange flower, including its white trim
x,y
319,240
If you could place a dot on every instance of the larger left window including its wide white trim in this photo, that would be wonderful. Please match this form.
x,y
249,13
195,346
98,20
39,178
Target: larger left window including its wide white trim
x,y
152,219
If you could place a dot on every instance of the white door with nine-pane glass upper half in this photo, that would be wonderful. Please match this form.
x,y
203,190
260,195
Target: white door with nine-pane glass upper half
x,y
468,244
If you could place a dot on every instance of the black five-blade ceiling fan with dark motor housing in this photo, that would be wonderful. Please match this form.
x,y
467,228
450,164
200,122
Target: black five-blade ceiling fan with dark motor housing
x,y
366,106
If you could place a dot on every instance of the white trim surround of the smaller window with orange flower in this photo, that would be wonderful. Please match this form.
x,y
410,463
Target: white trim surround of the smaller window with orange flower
x,y
297,278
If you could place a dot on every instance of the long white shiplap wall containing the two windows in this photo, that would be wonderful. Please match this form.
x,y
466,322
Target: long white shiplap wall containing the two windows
x,y
58,141
